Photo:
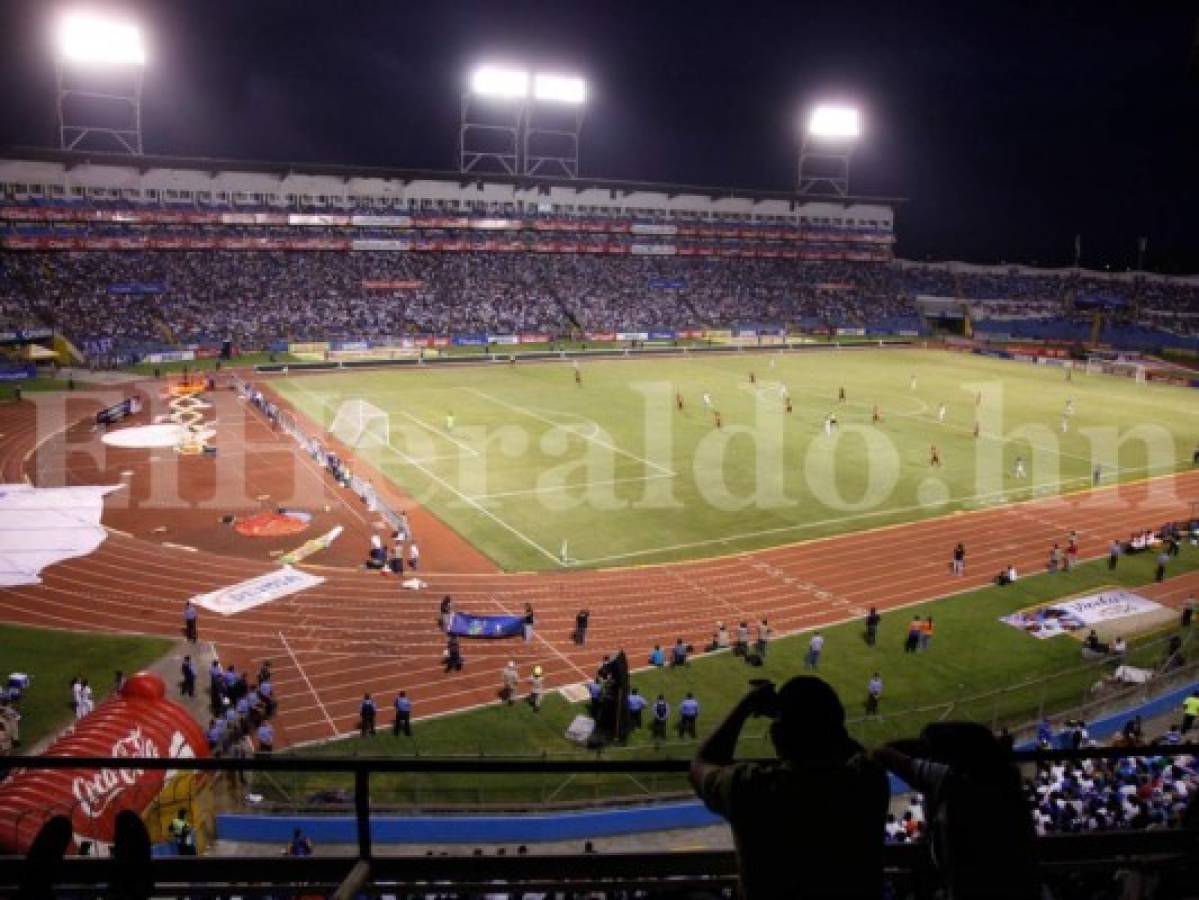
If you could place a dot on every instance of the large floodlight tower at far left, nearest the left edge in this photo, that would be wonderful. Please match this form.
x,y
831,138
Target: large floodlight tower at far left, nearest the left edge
x,y
100,64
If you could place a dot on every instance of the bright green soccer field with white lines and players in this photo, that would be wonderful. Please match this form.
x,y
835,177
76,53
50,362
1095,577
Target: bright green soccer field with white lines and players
x,y
526,463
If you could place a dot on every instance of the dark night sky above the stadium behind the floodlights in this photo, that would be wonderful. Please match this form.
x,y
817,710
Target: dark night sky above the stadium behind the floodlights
x,y
1010,126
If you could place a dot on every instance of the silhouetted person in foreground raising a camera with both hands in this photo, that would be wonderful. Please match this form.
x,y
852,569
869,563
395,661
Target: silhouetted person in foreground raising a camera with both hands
x,y
836,795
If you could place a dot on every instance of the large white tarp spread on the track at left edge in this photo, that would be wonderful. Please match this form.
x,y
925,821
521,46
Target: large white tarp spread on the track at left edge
x,y
41,527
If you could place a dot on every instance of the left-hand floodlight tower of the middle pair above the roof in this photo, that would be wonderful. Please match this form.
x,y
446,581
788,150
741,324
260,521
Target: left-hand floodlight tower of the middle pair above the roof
x,y
493,113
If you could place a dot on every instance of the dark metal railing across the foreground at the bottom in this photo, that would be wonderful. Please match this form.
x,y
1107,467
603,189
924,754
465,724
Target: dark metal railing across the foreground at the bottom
x,y
715,873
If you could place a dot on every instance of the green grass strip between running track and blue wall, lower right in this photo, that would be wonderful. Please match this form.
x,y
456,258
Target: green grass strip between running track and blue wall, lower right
x,y
971,655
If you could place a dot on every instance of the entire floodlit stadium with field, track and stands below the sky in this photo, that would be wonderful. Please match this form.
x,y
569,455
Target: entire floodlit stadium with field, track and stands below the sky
x,y
466,525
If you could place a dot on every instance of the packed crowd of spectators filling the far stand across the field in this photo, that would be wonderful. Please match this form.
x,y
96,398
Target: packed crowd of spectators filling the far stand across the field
x,y
256,298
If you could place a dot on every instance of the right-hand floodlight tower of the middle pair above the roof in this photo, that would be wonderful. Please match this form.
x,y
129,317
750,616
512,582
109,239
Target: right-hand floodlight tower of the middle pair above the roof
x,y
553,125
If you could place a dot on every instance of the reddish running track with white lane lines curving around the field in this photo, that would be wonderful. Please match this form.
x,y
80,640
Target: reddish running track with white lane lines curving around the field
x,y
359,632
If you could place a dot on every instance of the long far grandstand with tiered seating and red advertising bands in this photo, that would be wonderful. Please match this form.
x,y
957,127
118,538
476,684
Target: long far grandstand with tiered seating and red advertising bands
x,y
131,262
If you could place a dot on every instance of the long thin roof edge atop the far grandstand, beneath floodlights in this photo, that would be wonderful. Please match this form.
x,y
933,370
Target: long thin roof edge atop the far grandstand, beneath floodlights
x,y
79,158
